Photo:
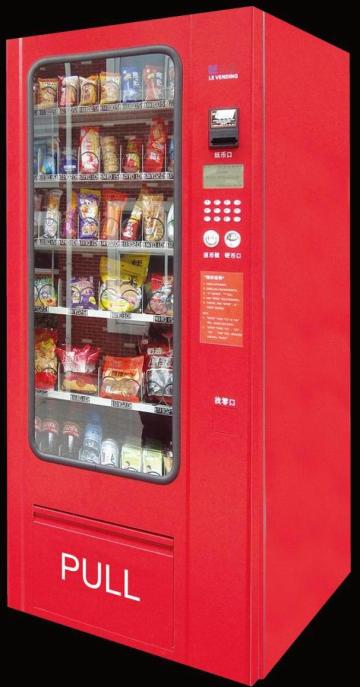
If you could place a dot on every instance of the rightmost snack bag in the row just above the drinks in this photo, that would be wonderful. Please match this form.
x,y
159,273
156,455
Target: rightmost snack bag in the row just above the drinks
x,y
158,377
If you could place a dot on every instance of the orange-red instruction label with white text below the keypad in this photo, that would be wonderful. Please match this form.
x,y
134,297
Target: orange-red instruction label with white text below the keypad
x,y
221,308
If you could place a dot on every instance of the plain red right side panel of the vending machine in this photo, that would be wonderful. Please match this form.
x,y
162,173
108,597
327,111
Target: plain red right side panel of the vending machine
x,y
306,286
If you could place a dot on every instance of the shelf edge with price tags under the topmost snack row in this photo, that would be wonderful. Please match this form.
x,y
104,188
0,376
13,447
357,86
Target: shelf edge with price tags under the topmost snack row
x,y
111,111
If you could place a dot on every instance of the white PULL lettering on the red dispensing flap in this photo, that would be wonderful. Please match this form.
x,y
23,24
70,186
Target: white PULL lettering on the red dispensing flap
x,y
97,576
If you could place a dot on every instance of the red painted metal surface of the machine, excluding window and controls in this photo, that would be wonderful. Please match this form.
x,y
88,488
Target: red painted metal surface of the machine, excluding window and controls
x,y
278,462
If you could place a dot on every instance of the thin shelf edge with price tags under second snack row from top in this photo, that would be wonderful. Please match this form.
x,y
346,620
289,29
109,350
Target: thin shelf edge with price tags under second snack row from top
x,y
41,180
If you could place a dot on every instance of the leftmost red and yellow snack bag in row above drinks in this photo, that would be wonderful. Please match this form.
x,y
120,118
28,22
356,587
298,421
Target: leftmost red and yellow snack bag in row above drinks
x,y
45,358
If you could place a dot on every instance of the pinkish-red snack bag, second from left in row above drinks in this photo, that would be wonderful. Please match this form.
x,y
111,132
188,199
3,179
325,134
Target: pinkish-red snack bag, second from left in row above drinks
x,y
80,368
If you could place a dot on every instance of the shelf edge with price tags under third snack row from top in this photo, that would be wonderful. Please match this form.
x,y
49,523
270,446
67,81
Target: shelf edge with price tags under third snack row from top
x,y
101,246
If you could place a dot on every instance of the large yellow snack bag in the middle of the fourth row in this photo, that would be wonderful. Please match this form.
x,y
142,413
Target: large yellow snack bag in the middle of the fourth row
x,y
121,282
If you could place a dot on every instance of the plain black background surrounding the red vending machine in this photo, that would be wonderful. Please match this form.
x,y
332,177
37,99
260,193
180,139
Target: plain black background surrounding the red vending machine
x,y
325,651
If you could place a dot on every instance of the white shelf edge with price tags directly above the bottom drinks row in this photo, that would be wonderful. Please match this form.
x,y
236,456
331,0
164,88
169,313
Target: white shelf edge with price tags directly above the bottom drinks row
x,y
110,403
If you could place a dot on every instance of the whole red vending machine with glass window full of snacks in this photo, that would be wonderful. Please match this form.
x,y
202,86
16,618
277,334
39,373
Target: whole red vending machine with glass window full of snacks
x,y
178,351
